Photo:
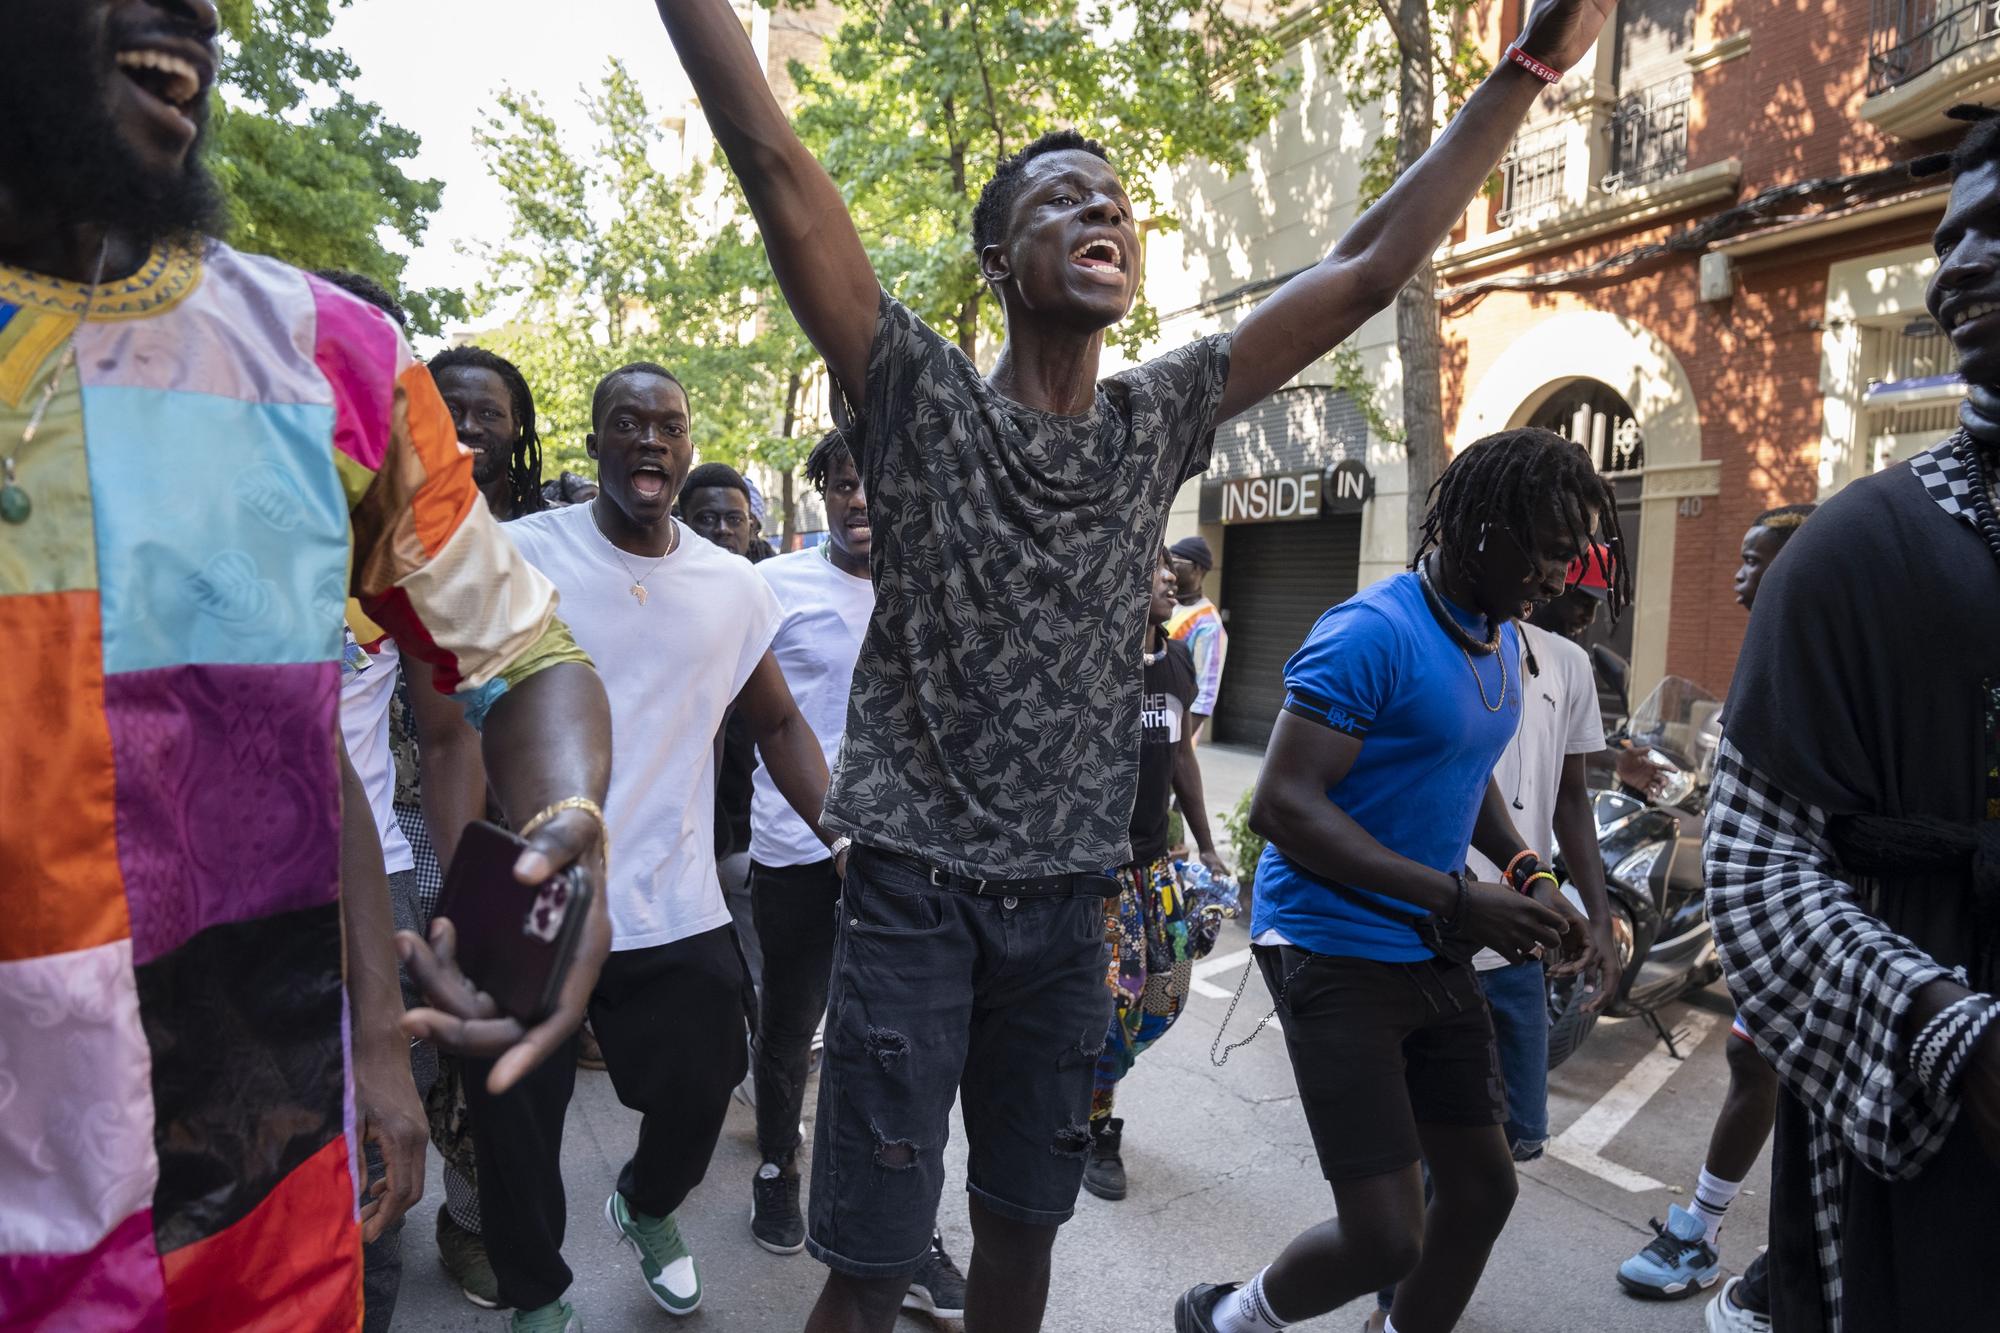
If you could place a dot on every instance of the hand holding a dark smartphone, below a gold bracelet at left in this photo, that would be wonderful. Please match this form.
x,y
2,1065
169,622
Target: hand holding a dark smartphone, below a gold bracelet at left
x,y
465,1020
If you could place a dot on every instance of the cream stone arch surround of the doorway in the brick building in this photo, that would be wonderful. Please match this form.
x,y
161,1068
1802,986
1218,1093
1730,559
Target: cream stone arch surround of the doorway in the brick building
x,y
1643,373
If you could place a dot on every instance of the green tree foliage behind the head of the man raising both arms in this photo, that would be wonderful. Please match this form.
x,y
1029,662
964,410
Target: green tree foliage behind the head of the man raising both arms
x,y
921,99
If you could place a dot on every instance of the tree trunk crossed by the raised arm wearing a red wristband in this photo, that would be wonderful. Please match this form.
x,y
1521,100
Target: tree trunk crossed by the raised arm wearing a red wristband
x,y
1419,335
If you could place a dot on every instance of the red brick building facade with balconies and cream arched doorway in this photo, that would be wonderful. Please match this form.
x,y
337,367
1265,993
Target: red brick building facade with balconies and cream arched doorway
x,y
1779,347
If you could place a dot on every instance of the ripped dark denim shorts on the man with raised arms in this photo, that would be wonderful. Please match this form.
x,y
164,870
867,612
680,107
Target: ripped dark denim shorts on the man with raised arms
x,y
941,994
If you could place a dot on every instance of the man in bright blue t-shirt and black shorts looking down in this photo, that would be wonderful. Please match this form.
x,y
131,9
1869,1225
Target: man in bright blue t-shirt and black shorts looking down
x,y
1377,782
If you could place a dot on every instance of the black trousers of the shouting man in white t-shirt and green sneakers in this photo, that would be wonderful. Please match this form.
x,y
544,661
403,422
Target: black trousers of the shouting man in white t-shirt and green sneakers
x,y
671,1024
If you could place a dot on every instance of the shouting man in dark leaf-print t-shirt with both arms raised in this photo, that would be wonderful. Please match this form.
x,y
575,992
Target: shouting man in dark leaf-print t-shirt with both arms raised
x,y
989,770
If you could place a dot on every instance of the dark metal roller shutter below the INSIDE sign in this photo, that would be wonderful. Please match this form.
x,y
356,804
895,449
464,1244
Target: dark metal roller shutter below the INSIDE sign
x,y
1277,581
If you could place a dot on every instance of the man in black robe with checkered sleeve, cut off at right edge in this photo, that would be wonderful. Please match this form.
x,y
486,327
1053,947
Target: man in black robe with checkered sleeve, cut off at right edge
x,y
1853,858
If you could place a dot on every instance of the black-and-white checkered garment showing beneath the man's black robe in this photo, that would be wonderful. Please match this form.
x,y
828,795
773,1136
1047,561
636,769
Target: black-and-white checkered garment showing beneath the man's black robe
x,y
1823,986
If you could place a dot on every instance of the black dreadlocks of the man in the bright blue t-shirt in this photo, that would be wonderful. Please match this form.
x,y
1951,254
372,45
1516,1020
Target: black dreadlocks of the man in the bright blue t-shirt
x,y
1507,481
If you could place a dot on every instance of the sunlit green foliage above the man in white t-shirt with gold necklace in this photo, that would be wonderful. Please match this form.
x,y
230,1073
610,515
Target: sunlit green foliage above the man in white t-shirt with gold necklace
x,y
615,255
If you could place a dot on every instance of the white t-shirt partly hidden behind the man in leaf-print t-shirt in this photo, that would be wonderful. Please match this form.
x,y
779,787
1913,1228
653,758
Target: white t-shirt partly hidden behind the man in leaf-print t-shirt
x,y
825,617
